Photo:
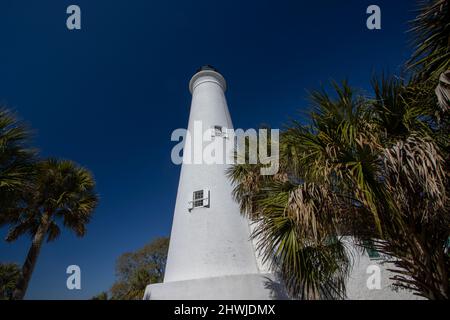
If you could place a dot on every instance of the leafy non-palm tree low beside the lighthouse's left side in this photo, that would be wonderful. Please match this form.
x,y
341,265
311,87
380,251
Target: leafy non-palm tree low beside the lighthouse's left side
x,y
135,270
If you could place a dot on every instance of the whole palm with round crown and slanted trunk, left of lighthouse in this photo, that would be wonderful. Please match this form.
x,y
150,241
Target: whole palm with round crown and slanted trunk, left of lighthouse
x,y
60,190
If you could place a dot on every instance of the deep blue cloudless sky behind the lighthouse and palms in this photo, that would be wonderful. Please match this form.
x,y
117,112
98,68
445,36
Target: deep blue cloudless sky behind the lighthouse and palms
x,y
109,96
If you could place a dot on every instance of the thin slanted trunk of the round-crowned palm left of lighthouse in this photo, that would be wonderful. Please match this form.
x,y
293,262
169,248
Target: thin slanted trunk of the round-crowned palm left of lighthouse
x,y
30,262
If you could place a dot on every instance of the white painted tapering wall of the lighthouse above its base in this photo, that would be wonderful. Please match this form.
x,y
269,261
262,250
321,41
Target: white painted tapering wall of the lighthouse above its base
x,y
214,241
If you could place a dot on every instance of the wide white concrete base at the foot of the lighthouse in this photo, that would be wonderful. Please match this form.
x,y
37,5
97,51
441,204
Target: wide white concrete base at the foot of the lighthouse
x,y
232,287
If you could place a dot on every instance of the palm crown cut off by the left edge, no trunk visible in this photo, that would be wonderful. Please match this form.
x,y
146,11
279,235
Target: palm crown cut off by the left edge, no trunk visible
x,y
16,161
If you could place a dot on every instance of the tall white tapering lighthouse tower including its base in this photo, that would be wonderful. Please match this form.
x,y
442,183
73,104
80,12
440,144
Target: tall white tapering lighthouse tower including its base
x,y
211,255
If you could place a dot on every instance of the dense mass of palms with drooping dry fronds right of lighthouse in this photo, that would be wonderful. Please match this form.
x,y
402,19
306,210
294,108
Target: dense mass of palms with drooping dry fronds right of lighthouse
x,y
365,168
